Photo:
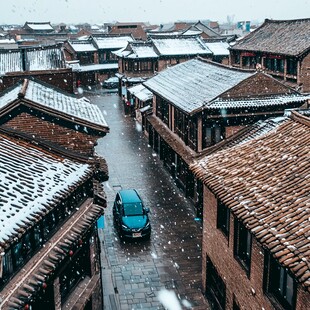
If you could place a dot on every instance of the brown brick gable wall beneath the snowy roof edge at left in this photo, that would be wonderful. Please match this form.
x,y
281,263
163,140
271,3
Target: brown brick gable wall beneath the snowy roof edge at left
x,y
55,133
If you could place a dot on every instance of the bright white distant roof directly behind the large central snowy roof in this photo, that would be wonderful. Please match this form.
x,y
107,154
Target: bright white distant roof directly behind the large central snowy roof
x,y
180,46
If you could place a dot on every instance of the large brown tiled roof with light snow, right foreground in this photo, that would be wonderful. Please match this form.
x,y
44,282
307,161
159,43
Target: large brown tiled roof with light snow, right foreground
x,y
266,185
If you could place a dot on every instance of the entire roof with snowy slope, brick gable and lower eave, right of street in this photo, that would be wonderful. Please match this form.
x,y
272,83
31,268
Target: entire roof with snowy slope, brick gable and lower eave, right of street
x,y
200,84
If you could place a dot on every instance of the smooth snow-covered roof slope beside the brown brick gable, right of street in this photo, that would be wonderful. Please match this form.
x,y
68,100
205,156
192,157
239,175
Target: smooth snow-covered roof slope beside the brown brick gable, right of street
x,y
191,84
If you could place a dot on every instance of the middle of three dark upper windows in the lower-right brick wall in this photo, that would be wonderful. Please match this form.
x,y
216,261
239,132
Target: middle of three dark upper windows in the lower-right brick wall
x,y
242,245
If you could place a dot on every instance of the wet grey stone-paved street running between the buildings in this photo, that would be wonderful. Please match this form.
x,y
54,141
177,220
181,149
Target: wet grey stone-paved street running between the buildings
x,y
136,273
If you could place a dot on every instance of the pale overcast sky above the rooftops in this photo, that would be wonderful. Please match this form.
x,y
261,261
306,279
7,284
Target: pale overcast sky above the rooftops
x,y
153,11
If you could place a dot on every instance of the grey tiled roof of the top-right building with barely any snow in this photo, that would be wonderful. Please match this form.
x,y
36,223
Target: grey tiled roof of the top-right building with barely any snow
x,y
287,37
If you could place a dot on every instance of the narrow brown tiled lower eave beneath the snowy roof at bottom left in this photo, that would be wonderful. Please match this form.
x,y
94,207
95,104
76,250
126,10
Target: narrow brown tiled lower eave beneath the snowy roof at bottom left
x,y
21,289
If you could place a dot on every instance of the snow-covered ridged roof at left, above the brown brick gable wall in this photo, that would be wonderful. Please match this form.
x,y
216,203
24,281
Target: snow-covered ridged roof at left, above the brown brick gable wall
x,y
69,105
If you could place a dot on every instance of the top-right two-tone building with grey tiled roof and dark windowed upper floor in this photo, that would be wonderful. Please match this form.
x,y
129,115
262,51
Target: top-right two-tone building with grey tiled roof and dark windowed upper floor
x,y
280,48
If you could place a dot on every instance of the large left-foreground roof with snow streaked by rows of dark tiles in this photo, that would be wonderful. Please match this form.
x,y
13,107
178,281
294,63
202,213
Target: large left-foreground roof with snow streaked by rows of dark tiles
x,y
30,180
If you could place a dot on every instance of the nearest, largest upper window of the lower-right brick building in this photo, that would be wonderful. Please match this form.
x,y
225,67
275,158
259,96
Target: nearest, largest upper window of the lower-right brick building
x,y
279,284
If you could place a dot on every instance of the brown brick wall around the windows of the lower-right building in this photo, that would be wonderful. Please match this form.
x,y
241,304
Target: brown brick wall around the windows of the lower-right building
x,y
248,291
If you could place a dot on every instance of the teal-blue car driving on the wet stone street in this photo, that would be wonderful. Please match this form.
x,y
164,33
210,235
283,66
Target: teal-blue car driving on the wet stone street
x,y
130,215
